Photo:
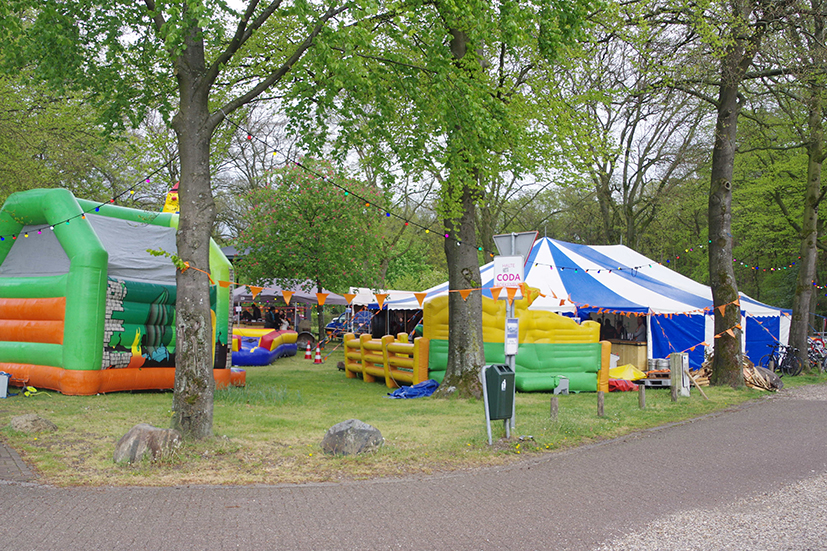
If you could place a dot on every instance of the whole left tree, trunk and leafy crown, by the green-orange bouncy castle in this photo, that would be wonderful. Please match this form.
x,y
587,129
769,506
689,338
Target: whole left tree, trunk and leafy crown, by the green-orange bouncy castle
x,y
196,61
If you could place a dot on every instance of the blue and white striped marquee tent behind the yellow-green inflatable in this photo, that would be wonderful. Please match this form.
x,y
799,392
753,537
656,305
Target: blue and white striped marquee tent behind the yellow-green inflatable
x,y
610,280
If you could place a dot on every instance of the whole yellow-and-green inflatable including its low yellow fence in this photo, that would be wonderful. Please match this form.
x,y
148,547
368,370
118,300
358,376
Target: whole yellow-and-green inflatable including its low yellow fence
x,y
550,346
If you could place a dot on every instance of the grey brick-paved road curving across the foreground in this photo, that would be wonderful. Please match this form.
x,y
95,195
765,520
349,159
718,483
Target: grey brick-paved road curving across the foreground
x,y
577,500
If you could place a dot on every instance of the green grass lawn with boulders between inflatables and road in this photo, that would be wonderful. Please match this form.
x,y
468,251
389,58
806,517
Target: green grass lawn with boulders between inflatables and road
x,y
270,432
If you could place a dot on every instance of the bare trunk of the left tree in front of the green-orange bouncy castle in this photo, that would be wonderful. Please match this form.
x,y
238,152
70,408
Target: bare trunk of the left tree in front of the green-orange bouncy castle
x,y
192,402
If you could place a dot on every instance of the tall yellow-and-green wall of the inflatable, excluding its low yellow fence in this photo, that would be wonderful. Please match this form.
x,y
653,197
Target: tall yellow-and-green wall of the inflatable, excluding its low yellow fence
x,y
550,345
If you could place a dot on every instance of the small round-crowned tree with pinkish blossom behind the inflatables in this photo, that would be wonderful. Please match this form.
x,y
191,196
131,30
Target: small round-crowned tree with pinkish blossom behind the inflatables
x,y
303,228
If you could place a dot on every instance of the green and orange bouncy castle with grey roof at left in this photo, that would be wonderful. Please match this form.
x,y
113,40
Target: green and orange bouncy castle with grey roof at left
x,y
84,308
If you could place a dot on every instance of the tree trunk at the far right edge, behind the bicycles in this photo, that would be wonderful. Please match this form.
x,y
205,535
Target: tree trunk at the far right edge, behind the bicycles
x,y
802,302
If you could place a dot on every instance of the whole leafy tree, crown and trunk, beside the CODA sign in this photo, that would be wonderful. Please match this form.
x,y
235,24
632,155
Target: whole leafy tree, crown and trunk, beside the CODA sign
x,y
447,93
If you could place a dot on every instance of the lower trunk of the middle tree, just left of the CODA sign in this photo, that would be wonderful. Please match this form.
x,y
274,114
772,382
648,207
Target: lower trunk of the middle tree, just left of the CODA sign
x,y
466,354
